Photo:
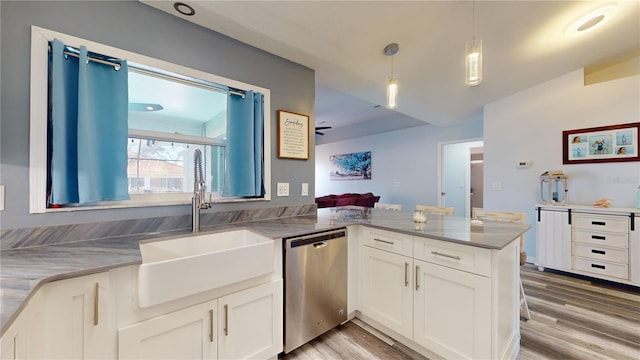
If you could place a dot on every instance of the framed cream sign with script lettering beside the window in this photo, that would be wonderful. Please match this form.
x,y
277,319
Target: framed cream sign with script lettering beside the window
x,y
293,135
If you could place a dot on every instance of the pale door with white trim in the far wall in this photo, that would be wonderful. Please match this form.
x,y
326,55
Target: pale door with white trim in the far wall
x,y
455,175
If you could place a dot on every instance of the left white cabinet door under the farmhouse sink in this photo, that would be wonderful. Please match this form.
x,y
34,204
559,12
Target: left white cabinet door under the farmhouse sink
x,y
183,334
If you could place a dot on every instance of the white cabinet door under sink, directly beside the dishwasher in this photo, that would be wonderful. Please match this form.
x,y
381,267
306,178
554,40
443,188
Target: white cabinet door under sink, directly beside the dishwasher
x,y
250,323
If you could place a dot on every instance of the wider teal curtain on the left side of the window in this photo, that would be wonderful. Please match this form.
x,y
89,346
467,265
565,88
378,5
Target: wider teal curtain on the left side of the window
x,y
89,129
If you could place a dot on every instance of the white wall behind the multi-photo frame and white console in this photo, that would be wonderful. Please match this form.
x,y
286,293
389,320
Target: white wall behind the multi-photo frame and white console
x,y
528,126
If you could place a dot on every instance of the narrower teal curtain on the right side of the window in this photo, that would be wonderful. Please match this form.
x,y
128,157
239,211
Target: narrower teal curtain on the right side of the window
x,y
245,156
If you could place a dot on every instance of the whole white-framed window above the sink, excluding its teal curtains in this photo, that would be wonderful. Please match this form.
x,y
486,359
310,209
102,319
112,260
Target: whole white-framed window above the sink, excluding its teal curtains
x,y
173,110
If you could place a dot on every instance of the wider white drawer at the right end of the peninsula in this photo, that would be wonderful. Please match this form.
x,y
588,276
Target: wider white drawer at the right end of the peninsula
x,y
462,257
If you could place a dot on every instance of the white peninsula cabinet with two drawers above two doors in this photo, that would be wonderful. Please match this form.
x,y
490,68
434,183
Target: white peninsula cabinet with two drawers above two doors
x,y
440,298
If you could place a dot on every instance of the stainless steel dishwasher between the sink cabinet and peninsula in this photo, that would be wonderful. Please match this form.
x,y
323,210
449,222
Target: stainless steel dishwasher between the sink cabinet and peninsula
x,y
315,285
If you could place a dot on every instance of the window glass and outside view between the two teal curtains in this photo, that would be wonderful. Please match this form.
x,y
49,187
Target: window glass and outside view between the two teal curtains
x,y
168,119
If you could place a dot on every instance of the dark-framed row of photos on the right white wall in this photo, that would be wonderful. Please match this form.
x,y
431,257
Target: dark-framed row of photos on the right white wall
x,y
601,144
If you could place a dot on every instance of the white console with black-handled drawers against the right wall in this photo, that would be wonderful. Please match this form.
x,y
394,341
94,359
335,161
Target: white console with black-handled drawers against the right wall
x,y
598,242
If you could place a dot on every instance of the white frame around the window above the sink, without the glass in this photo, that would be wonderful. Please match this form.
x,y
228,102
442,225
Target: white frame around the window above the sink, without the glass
x,y
40,38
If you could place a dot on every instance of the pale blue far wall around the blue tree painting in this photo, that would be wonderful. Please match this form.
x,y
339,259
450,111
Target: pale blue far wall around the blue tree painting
x,y
404,163
